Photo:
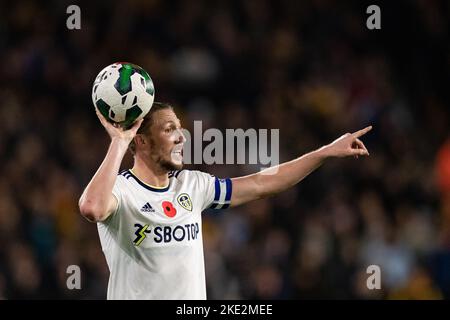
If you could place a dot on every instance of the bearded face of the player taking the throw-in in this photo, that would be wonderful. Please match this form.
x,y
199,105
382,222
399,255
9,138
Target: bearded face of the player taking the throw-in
x,y
166,140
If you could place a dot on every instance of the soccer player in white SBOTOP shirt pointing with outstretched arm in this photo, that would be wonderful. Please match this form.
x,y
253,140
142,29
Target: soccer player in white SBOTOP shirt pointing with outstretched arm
x,y
149,217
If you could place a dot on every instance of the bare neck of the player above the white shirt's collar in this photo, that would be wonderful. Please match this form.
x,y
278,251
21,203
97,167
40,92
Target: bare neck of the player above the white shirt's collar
x,y
150,173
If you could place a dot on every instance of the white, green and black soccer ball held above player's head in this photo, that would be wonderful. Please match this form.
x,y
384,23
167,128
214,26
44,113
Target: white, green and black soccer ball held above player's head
x,y
123,93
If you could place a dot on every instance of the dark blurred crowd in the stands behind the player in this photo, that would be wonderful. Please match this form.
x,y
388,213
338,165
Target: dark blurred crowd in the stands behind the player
x,y
309,68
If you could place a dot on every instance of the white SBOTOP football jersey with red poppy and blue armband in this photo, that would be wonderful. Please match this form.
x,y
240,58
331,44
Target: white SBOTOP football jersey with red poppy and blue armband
x,y
153,241
